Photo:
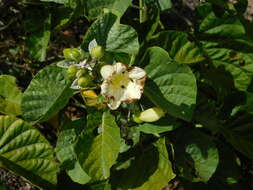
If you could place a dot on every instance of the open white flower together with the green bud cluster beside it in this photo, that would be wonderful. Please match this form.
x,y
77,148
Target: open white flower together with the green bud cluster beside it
x,y
120,82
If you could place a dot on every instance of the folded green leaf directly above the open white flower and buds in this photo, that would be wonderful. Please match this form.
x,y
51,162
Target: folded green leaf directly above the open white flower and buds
x,y
115,37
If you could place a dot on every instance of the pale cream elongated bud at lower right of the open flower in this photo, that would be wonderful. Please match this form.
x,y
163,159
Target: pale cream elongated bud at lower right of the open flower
x,y
151,114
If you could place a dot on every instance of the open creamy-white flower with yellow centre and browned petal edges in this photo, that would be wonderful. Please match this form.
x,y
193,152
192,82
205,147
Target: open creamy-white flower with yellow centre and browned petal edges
x,y
122,83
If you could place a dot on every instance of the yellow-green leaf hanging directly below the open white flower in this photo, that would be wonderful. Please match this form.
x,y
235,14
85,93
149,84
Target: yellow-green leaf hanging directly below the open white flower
x,y
98,154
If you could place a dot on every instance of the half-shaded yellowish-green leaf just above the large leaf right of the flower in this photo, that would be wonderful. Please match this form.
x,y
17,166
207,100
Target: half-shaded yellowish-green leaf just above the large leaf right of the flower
x,y
179,47
